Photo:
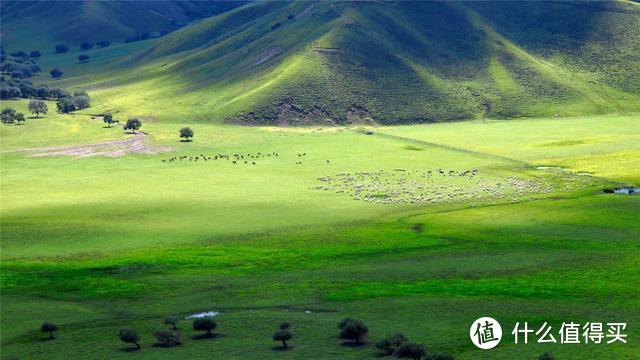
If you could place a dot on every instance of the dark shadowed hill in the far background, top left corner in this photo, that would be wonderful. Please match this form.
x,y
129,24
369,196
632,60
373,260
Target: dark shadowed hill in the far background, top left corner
x,y
40,24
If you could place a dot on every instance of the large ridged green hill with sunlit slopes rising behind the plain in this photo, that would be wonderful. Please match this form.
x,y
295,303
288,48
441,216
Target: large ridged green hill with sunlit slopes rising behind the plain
x,y
388,62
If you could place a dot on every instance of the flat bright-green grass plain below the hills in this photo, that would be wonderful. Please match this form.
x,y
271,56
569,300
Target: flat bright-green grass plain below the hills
x,y
96,244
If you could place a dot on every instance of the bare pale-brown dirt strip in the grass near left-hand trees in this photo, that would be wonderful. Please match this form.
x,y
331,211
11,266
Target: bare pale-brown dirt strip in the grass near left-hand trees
x,y
112,148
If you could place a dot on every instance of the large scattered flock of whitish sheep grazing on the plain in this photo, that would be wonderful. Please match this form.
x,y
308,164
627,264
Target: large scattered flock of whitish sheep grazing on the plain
x,y
402,186
